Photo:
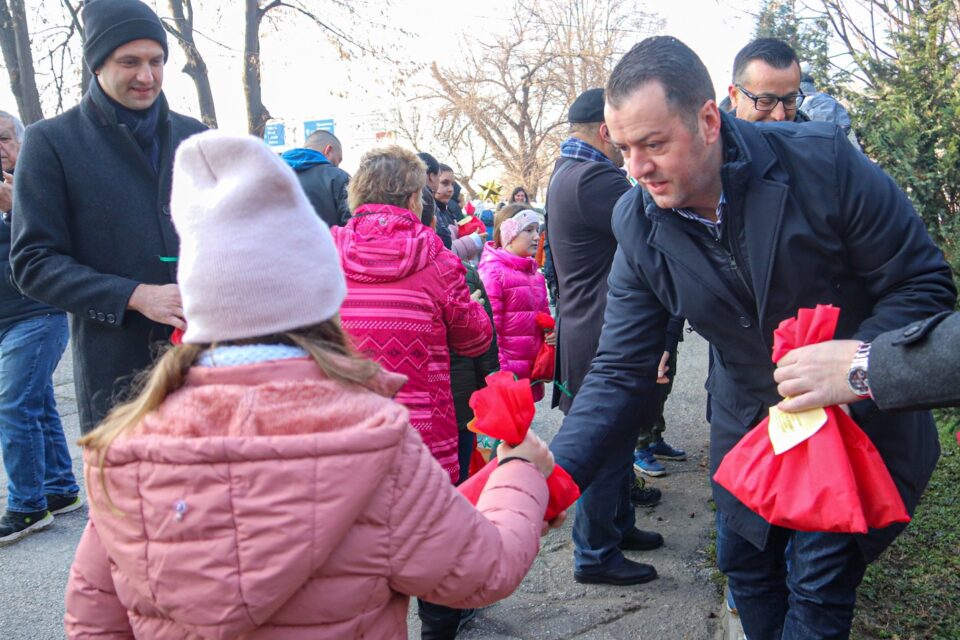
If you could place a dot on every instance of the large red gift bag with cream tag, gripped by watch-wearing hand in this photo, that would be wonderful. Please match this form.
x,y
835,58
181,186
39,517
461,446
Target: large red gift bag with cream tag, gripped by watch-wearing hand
x,y
833,480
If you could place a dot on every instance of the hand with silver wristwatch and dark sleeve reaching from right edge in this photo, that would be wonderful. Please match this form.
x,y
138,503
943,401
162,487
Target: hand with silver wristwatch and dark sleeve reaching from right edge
x,y
913,367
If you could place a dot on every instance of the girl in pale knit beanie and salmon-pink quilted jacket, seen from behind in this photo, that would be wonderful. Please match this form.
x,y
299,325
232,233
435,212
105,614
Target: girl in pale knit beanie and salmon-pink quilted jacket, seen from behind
x,y
263,485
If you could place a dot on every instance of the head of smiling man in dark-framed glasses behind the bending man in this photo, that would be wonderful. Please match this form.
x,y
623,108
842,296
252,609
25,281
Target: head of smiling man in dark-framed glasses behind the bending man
x,y
766,83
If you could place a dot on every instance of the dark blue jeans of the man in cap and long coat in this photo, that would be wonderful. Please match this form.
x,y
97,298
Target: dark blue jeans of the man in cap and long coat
x,y
604,514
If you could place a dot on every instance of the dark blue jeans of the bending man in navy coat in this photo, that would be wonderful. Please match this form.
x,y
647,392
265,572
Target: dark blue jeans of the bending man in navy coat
x,y
813,601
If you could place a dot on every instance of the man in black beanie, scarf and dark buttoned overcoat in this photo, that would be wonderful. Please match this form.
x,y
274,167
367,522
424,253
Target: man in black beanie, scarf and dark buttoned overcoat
x,y
93,234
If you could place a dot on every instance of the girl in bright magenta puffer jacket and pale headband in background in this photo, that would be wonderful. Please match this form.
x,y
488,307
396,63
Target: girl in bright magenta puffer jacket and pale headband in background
x,y
516,289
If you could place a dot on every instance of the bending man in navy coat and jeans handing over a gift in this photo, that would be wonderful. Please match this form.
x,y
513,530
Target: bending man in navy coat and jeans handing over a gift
x,y
735,226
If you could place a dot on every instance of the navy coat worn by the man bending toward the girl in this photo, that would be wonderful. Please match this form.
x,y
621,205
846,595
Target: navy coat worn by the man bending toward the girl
x,y
809,220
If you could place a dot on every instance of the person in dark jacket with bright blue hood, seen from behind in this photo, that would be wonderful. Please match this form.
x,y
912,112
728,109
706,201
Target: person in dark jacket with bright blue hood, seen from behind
x,y
317,165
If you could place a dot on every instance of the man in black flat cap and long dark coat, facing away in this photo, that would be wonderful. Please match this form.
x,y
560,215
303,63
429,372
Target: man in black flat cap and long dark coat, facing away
x,y
585,185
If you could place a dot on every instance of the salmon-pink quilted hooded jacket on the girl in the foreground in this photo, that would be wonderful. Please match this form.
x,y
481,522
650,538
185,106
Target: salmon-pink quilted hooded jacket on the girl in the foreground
x,y
267,501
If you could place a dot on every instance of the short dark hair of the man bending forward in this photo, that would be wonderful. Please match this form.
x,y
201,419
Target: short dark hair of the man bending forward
x,y
664,59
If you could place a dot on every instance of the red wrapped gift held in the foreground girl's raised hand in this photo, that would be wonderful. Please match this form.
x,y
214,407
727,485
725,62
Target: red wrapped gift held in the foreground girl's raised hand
x,y
504,410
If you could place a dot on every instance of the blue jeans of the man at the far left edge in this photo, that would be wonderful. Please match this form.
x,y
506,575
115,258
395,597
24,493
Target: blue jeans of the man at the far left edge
x,y
35,453
